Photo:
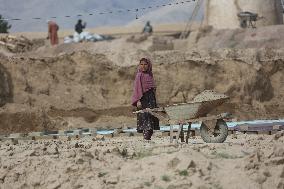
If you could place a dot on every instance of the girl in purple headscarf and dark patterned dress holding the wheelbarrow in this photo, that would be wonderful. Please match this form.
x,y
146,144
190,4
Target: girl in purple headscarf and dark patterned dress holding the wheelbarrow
x,y
145,94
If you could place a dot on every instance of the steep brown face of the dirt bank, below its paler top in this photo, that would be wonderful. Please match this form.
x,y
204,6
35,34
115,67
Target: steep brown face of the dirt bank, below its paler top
x,y
91,87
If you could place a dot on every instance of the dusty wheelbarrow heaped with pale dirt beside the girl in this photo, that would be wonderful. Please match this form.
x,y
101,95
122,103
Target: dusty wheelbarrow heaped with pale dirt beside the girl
x,y
213,127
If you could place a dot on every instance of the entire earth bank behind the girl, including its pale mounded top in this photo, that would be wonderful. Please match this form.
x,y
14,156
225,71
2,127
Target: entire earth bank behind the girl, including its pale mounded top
x,y
90,84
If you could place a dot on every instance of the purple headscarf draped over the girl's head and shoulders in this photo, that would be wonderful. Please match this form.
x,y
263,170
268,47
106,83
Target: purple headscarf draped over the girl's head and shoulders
x,y
144,81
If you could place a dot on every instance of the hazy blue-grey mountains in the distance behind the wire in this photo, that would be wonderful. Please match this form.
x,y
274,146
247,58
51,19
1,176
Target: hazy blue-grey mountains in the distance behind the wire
x,y
28,9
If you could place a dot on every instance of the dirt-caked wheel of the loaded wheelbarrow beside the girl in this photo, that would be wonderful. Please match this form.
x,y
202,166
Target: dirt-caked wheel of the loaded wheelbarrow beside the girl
x,y
219,134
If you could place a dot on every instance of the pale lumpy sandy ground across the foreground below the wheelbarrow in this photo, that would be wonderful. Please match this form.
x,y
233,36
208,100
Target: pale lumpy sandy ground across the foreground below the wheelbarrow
x,y
243,161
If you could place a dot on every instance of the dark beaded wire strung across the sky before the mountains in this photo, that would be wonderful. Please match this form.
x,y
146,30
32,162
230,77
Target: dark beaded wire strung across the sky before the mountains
x,y
134,10
